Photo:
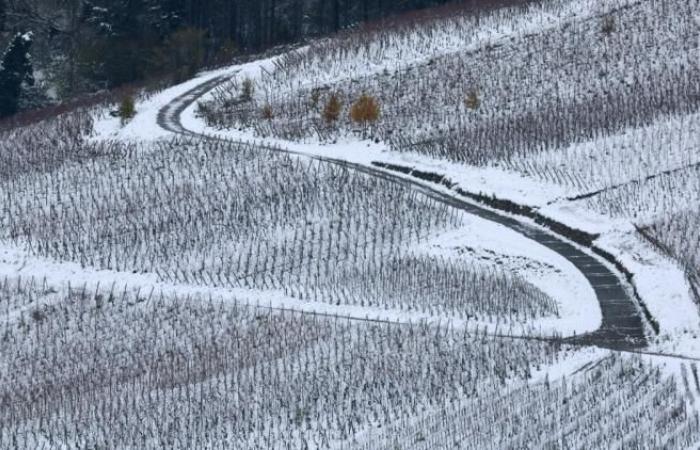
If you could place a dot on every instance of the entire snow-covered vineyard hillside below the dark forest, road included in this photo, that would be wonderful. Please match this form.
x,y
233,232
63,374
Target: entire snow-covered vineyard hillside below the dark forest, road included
x,y
237,267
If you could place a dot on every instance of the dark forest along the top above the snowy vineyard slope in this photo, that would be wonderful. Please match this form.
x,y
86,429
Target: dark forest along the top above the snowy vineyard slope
x,y
87,45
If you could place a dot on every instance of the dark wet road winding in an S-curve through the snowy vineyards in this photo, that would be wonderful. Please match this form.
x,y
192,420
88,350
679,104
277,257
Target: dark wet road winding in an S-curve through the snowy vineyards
x,y
622,326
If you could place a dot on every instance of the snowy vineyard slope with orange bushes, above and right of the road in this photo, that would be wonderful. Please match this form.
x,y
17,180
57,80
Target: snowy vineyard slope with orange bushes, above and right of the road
x,y
584,110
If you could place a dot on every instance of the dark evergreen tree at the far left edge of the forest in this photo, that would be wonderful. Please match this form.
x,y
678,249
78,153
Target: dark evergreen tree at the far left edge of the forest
x,y
16,69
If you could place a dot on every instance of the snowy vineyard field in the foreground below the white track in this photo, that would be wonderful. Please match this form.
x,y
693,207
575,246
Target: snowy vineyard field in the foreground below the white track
x,y
121,369
